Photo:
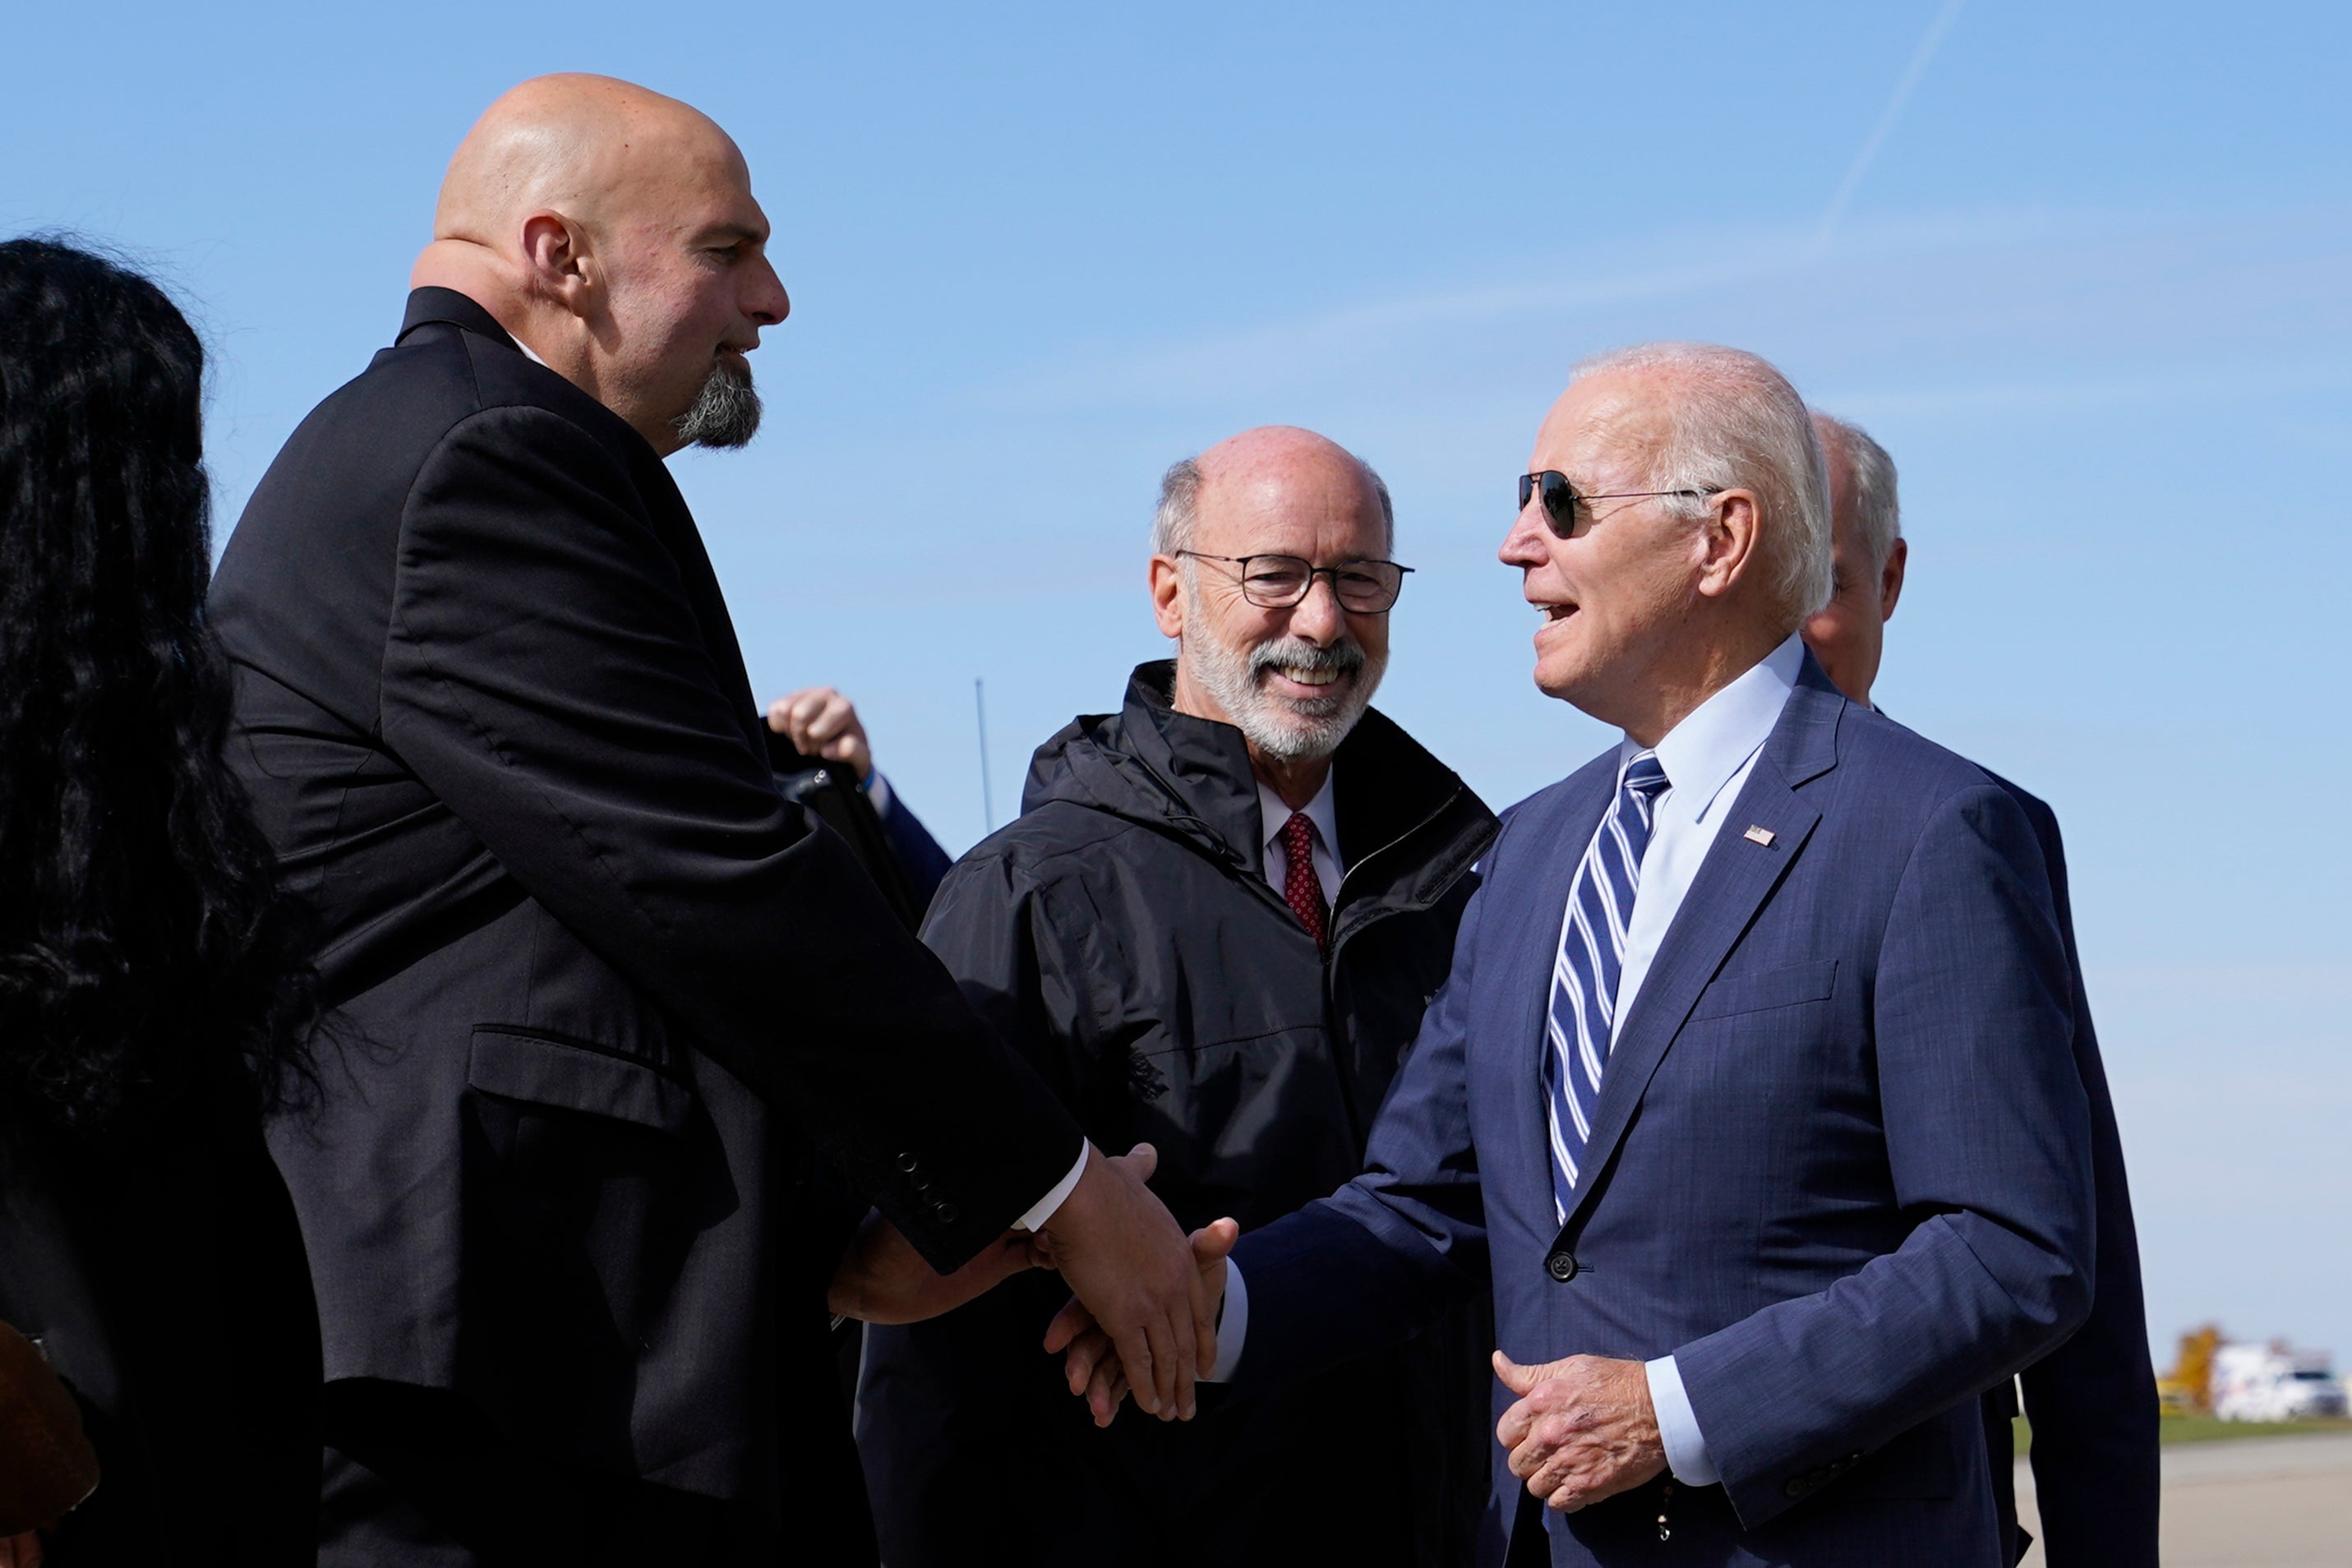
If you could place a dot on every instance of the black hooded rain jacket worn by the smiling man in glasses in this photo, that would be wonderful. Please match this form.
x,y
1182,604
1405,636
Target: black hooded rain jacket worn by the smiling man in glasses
x,y
1125,939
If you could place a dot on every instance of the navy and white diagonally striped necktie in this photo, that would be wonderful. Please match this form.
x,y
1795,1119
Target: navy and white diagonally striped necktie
x,y
1586,974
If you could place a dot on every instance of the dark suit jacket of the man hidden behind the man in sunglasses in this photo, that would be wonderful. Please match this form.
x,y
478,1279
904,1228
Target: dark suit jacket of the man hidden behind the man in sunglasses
x,y
2094,1400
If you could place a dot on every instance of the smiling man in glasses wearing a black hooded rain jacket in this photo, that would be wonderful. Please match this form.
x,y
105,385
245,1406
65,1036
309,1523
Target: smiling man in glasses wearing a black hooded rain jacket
x,y
1215,927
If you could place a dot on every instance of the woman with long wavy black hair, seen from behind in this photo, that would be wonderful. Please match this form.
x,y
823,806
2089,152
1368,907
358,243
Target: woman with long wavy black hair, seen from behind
x,y
152,993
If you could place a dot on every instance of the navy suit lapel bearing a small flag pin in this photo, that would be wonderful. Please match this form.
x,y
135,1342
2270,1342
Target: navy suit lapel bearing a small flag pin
x,y
1732,885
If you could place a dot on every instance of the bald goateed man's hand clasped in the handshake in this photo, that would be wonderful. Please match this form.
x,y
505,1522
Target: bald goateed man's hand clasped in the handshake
x,y
1130,1264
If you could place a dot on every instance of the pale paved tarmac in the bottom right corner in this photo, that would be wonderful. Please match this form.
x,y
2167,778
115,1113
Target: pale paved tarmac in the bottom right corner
x,y
2247,1503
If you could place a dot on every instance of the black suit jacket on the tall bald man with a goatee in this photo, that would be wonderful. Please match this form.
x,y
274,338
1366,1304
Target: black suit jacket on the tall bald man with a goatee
x,y
613,1021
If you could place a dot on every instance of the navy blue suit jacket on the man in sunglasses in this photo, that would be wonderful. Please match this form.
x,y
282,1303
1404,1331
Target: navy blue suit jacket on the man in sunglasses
x,y
1840,1162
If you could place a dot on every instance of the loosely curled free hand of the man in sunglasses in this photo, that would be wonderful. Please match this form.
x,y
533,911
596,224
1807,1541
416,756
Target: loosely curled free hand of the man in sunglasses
x,y
1582,1430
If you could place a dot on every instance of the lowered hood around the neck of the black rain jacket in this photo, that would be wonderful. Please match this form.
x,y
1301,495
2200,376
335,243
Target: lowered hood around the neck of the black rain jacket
x,y
1191,777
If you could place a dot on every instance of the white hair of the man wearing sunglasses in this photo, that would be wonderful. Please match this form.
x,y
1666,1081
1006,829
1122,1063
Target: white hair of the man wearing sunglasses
x,y
1735,422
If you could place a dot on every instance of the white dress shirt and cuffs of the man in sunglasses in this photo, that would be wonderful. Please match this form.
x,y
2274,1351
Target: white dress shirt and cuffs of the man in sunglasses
x,y
1706,760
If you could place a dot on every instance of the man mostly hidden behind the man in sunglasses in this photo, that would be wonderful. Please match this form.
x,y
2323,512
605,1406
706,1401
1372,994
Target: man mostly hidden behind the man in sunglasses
x,y
2094,1400
